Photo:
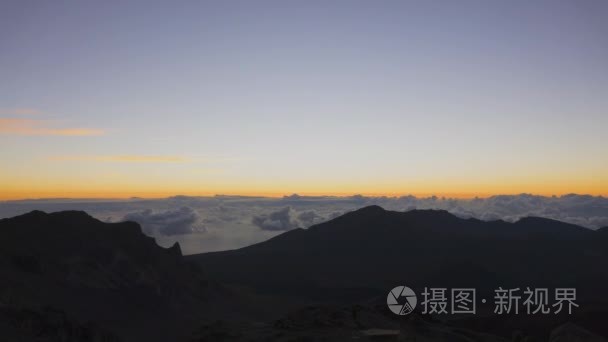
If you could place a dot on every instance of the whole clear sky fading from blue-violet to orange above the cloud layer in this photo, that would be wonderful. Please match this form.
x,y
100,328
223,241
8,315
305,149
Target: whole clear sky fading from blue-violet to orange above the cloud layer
x,y
457,98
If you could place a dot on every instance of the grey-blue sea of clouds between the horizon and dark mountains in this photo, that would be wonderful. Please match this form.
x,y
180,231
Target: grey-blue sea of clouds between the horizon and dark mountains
x,y
203,224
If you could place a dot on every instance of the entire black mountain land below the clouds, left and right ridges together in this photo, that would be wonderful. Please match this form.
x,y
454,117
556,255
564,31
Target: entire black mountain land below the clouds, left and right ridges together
x,y
67,276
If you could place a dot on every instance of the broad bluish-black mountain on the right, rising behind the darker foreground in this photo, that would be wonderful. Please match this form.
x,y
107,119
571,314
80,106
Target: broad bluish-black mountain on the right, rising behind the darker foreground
x,y
367,252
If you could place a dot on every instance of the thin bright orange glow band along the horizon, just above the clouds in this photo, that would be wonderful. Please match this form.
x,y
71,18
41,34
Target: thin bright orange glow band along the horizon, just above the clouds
x,y
123,191
